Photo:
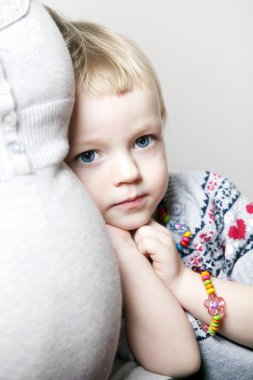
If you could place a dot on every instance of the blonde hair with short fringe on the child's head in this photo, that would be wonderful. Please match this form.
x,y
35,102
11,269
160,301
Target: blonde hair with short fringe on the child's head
x,y
105,61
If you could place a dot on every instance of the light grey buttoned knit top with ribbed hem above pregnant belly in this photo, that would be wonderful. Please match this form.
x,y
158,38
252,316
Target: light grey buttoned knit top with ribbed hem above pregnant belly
x,y
37,90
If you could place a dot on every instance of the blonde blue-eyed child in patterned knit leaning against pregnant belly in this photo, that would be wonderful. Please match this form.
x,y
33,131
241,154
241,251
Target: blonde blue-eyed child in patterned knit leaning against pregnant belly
x,y
117,151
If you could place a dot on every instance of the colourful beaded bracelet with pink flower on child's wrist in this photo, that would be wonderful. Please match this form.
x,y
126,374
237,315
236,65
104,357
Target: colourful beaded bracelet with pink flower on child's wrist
x,y
215,305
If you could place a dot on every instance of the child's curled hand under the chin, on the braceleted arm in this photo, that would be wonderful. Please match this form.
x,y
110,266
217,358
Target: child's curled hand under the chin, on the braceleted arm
x,y
156,242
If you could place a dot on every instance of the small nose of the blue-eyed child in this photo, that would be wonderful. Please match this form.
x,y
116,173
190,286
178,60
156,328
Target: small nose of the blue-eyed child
x,y
124,169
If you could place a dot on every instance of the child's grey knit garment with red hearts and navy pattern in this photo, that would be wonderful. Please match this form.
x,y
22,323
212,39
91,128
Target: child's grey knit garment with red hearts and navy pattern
x,y
221,223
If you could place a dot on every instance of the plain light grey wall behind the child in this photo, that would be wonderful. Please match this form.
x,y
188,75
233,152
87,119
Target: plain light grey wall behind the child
x,y
202,52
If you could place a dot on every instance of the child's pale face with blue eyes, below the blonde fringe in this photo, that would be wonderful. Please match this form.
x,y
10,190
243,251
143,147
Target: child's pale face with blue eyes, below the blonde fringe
x,y
117,151
